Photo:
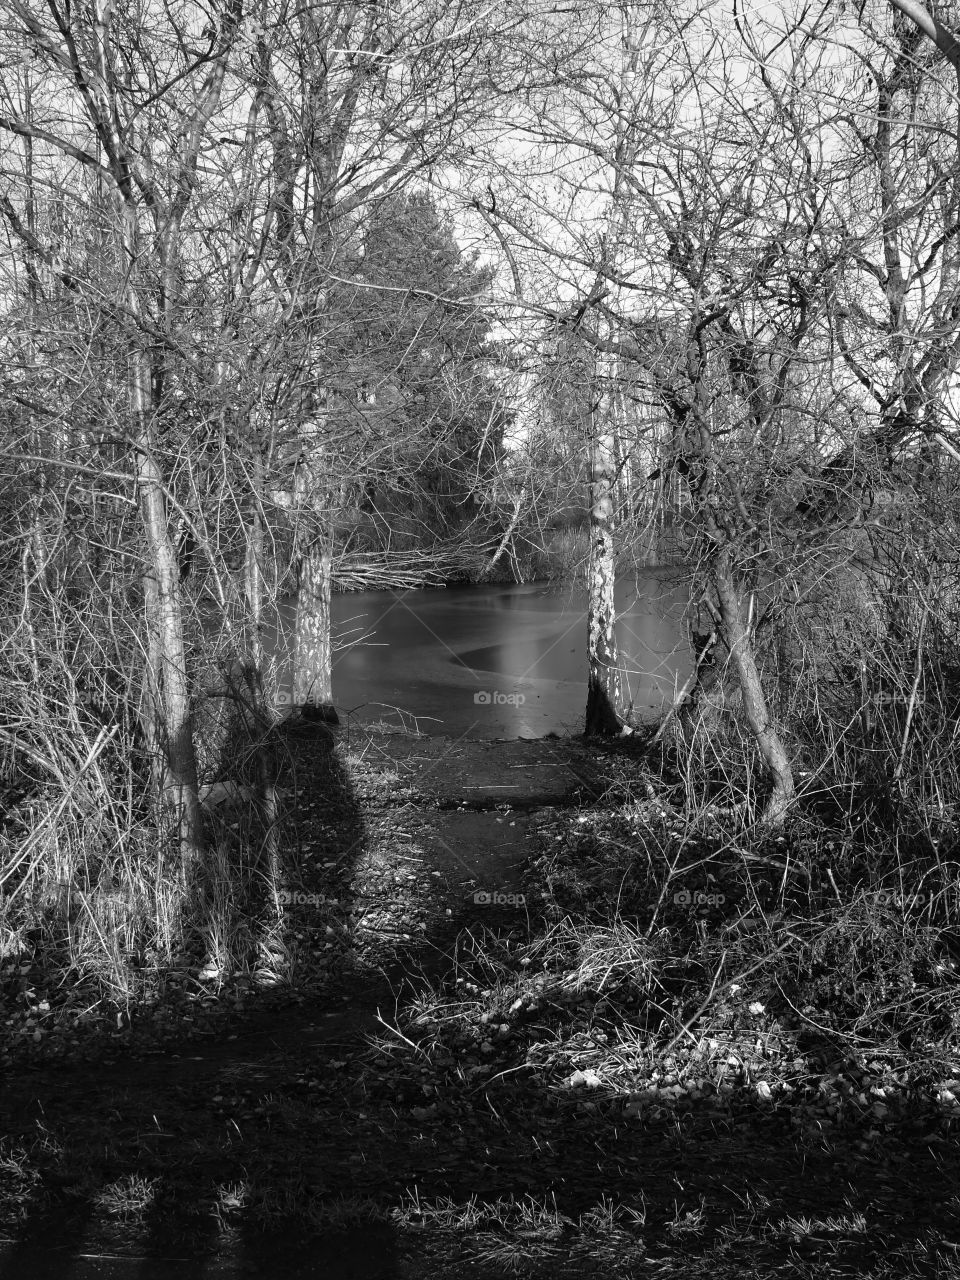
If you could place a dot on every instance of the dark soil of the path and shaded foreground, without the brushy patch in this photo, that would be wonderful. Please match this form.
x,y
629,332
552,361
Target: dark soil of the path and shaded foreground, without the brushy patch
x,y
299,1132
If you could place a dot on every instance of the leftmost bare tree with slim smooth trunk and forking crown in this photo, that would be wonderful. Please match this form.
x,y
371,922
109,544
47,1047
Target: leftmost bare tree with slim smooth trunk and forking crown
x,y
109,117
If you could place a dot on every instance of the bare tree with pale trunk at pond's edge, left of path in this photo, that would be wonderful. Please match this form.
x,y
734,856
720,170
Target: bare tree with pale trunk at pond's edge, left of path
x,y
354,104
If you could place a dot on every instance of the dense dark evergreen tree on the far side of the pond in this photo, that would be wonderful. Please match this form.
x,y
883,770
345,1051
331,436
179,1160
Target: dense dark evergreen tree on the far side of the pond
x,y
415,391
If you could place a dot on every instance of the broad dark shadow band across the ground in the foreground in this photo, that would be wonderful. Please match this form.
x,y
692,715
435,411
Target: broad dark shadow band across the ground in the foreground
x,y
260,1190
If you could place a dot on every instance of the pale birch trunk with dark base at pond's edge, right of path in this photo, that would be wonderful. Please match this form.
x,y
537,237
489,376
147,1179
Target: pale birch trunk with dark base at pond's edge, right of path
x,y
605,698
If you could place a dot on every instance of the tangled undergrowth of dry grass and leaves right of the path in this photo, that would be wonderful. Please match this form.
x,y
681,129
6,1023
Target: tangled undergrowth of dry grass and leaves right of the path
x,y
697,954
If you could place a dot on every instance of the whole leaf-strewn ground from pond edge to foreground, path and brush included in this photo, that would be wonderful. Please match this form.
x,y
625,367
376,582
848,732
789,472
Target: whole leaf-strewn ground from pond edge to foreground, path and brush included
x,y
506,1050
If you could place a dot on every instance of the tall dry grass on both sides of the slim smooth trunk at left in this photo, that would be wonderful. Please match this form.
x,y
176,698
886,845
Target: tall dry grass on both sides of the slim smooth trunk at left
x,y
93,889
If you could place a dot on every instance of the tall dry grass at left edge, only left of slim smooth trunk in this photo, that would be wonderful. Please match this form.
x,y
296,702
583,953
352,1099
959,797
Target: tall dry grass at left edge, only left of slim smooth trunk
x,y
85,883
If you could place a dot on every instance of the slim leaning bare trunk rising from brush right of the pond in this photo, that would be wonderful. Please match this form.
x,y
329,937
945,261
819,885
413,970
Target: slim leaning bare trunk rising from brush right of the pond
x,y
742,656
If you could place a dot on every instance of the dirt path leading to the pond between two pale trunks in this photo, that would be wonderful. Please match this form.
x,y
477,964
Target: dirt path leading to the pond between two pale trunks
x,y
429,825
